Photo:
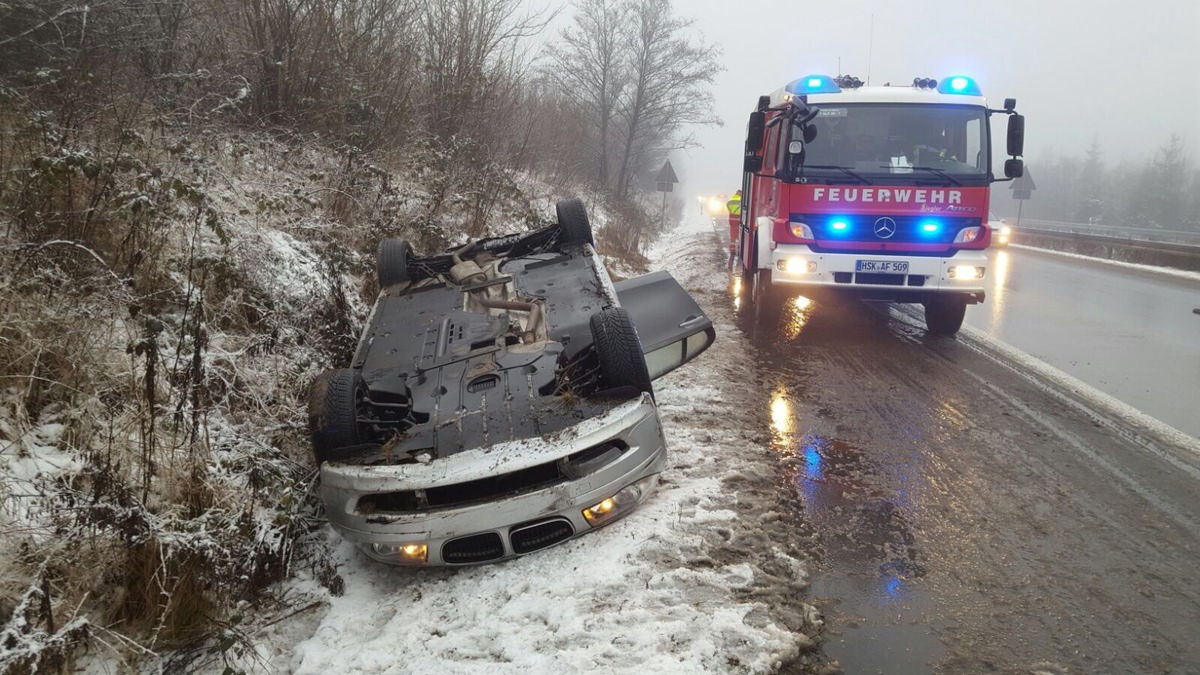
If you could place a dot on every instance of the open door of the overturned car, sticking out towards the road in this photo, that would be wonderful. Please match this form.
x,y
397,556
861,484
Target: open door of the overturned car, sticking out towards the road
x,y
670,325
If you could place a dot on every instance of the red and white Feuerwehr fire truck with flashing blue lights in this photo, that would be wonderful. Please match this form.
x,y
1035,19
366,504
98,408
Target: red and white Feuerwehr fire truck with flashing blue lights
x,y
875,193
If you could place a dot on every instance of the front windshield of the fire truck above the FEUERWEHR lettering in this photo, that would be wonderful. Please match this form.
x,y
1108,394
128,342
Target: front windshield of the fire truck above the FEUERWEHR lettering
x,y
899,139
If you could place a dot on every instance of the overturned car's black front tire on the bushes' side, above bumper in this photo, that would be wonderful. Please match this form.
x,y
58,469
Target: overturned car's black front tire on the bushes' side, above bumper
x,y
333,413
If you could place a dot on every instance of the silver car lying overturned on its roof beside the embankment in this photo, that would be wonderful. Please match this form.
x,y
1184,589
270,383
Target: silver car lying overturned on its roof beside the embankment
x,y
501,398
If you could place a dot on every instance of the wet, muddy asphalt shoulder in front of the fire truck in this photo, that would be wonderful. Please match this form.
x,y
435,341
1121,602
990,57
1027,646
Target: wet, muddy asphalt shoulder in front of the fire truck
x,y
969,517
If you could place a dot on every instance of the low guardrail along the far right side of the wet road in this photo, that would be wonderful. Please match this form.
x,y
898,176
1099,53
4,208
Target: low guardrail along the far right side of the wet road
x,y
1142,252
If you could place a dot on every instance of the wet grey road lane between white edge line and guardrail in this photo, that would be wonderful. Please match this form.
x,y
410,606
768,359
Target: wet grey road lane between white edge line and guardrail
x,y
1131,334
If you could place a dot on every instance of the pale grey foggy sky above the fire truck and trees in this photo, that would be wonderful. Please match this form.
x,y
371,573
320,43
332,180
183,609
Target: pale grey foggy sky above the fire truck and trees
x,y
1125,74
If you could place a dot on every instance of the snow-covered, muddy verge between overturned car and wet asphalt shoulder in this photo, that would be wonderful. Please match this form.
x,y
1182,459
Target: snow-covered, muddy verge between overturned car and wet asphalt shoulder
x,y
700,580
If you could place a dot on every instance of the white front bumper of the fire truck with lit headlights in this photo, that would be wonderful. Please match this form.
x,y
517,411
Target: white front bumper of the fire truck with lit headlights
x,y
801,267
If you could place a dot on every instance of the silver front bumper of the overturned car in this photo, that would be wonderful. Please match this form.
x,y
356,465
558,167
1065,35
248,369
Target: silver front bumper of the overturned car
x,y
501,527
